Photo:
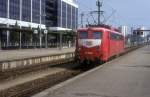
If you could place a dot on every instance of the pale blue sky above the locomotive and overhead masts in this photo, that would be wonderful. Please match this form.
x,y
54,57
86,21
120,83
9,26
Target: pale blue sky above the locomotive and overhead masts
x,y
134,13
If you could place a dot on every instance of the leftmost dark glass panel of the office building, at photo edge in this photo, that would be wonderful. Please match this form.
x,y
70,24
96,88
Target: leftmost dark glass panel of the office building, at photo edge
x,y
3,8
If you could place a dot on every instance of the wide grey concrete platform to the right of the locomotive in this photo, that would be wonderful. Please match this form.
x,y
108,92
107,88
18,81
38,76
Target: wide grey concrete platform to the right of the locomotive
x,y
126,76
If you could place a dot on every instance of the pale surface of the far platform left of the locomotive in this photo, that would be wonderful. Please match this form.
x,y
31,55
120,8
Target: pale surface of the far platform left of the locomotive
x,y
27,53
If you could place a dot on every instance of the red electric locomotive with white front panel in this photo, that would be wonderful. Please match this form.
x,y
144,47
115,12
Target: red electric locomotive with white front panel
x,y
98,43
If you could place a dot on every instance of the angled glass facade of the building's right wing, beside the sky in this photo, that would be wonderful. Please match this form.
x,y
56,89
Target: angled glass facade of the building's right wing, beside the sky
x,y
67,15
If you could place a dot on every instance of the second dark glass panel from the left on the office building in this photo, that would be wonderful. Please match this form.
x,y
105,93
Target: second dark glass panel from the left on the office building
x,y
14,9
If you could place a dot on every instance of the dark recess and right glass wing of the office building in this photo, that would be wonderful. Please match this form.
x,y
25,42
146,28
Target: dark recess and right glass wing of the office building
x,y
63,14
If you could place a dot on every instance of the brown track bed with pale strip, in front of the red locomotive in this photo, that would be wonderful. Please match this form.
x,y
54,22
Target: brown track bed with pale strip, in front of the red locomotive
x,y
35,82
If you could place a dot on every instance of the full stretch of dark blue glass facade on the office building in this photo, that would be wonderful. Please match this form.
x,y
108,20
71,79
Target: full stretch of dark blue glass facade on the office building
x,y
54,13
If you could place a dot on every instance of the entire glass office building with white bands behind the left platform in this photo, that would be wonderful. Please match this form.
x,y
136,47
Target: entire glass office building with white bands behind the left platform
x,y
54,15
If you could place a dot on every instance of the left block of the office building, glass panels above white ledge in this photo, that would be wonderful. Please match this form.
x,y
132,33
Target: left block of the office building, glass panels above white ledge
x,y
25,12
